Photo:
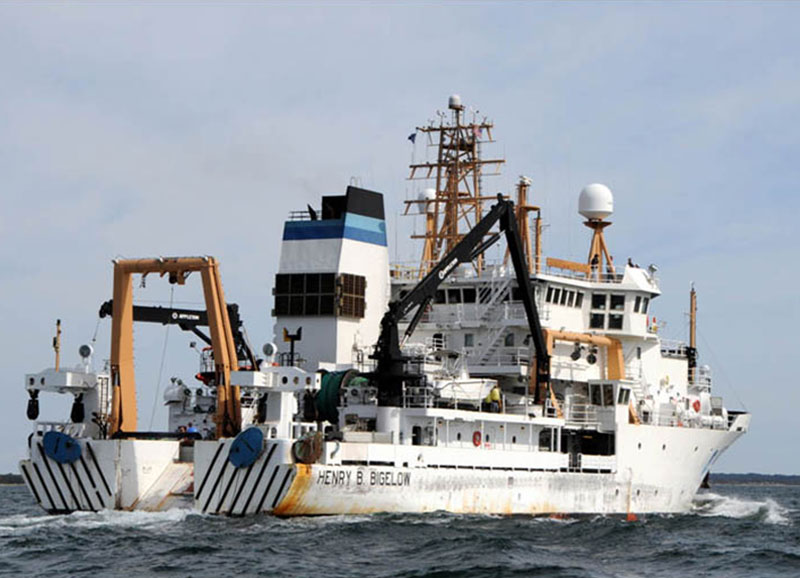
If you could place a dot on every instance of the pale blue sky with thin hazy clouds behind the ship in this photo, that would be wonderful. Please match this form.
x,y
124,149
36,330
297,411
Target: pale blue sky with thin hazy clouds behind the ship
x,y
194,128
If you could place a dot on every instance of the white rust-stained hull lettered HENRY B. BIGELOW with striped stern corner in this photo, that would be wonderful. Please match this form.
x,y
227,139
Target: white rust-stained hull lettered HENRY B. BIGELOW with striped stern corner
x,y
650,480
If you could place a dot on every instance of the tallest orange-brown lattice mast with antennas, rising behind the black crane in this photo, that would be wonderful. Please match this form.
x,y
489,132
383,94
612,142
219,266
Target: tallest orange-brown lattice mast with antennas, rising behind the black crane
x,y
455,205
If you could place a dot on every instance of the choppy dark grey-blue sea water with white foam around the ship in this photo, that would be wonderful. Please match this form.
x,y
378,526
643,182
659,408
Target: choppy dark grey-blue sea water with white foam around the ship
x,y
732,531
